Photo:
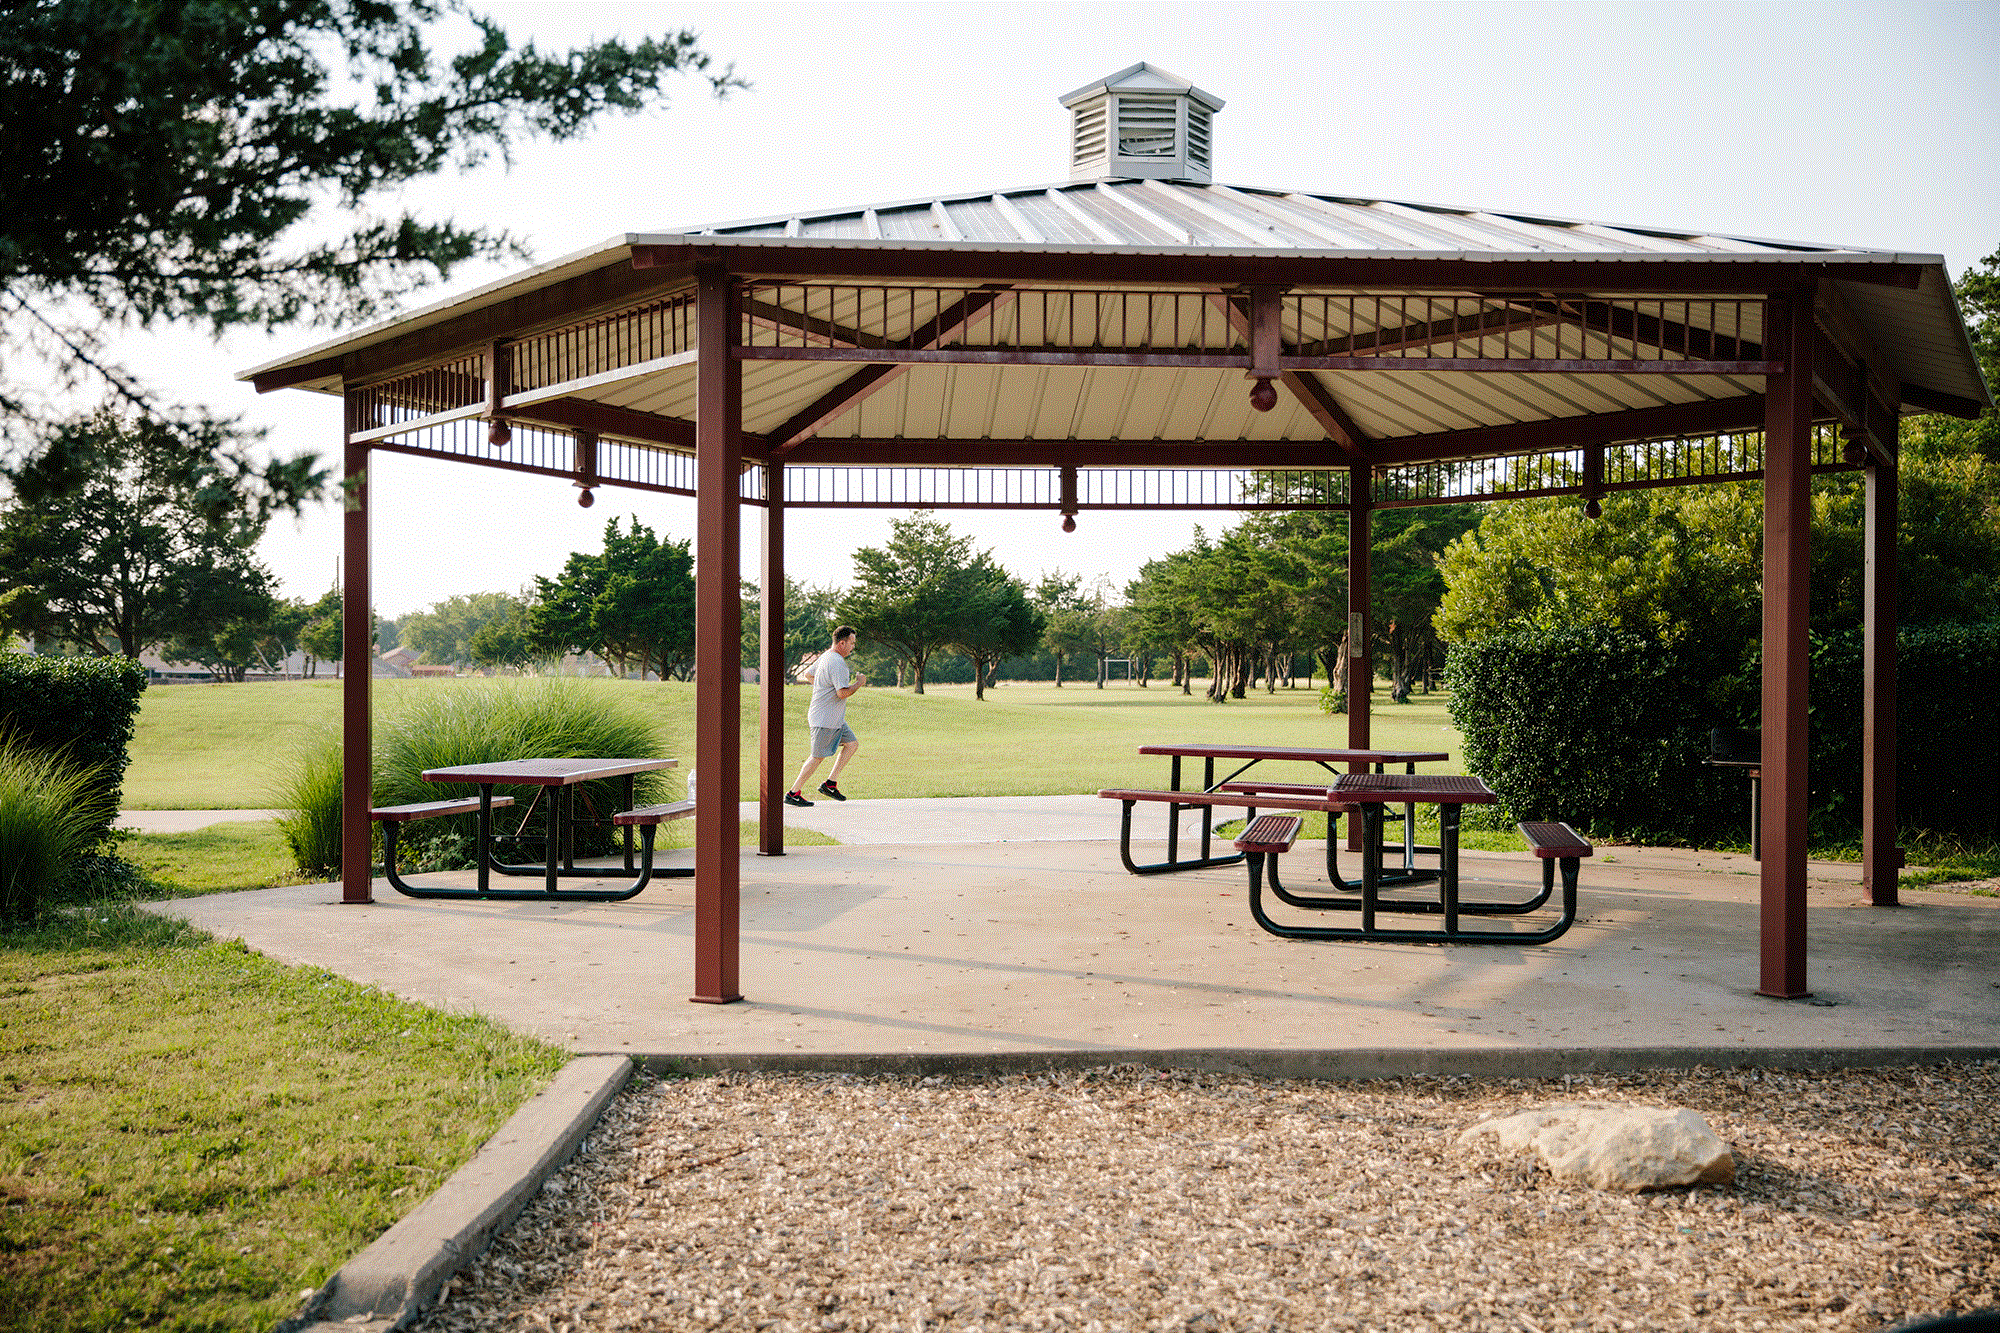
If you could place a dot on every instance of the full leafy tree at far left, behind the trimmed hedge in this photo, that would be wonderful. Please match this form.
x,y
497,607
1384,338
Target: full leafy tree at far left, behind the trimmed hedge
x,y
119,539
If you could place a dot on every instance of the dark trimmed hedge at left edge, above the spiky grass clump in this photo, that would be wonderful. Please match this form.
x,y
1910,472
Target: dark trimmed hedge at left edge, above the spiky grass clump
x,y
81,710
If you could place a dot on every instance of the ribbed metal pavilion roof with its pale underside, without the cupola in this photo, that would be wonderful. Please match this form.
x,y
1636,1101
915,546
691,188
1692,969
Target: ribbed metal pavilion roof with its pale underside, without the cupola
x,y
1073,231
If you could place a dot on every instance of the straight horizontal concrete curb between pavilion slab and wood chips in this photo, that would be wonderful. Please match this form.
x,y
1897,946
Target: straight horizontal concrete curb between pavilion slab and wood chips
x,y
1361,1064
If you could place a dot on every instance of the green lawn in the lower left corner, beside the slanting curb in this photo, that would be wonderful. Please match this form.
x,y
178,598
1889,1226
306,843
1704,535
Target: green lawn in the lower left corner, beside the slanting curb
x,y
191,1136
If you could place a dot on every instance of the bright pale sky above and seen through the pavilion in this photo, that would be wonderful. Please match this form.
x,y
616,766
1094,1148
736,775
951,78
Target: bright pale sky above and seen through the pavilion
x,y
1863,125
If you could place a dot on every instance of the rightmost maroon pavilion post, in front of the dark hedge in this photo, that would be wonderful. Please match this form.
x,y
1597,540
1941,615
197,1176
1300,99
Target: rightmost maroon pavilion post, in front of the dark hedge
x,y
1881,858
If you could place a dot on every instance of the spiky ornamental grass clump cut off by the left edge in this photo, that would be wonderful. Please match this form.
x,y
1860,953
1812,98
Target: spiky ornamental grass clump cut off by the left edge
x,y
51,818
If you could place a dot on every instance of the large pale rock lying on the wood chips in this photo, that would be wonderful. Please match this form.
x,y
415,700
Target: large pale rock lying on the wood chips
x,y
1615,1148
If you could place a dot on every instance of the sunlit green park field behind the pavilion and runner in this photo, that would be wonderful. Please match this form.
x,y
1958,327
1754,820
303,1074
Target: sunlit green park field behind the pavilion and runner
x,y
213,748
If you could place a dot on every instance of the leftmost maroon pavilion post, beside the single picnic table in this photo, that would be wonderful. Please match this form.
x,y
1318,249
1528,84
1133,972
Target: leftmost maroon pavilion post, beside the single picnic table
x,y
357,678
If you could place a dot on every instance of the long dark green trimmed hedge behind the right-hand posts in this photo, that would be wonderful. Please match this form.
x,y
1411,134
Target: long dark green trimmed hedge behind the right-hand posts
x,y
1609,732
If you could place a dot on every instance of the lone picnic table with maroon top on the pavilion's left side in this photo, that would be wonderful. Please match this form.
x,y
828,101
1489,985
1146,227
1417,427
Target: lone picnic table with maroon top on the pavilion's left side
x,y
559,838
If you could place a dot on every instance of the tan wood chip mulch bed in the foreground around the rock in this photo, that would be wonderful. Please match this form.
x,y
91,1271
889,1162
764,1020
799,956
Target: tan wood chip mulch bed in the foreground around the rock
x,y
1131,1198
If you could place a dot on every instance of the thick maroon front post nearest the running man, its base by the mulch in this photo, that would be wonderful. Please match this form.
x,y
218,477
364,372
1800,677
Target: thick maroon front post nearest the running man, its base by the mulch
x,y
717,639
